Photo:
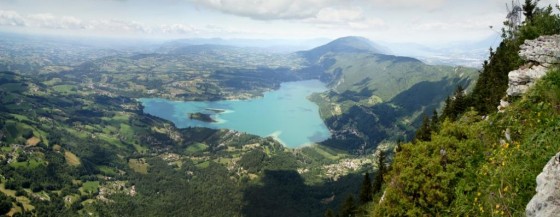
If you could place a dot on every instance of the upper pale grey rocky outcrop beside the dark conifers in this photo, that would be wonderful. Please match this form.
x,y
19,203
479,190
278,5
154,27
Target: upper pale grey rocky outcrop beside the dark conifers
x,y
541,53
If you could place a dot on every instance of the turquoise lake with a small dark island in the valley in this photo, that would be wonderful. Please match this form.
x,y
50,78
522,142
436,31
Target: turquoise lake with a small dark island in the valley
x,y
285,114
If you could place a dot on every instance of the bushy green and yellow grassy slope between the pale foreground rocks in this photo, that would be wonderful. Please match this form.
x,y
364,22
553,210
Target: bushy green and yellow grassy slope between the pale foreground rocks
x,y
483,173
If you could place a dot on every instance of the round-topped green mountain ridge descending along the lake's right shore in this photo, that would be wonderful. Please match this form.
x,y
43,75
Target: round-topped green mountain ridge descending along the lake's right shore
x,y
376,97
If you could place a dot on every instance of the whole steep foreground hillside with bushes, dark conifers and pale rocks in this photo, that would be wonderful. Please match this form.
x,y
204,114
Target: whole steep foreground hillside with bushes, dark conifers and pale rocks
x,y
486,165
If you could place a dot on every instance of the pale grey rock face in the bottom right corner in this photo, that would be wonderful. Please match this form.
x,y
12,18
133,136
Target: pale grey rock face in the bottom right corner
x,y
547,200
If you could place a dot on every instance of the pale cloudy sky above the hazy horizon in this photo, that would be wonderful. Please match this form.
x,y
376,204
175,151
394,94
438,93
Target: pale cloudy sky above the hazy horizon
x,y
387,20
